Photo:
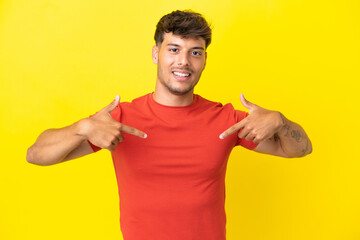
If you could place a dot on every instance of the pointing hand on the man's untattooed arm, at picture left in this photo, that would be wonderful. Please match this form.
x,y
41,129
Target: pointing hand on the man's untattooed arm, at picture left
x,y
103,131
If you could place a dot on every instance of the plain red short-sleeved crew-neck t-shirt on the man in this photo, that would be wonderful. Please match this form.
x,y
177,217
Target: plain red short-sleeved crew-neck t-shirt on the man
x,y
172,184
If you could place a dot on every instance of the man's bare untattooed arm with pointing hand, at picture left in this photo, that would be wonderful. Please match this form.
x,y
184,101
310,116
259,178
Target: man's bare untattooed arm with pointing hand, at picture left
x,y
59,145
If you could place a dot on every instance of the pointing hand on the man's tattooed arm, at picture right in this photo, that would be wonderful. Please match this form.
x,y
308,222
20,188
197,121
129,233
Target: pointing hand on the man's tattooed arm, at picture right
x,y
259,125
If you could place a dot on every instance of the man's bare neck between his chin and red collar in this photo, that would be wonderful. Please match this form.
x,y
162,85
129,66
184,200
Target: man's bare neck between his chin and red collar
x,y
169,99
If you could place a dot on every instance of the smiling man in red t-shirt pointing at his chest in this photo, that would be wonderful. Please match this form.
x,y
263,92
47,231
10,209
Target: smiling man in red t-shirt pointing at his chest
x,y
170,148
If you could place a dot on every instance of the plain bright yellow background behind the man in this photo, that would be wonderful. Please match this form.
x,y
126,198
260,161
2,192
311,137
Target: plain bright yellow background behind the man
x,y
63,60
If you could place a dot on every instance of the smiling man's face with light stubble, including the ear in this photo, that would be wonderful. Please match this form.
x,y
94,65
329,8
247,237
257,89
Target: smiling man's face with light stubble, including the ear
x,y
180,63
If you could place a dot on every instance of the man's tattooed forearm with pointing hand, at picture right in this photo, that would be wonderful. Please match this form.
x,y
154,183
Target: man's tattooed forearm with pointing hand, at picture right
x,y
275,134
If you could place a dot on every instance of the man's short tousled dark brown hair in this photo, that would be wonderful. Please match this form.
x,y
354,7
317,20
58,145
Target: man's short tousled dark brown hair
x,y
186,24
